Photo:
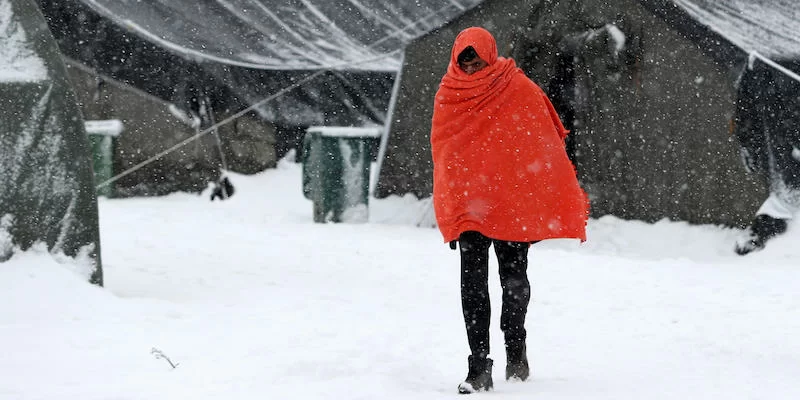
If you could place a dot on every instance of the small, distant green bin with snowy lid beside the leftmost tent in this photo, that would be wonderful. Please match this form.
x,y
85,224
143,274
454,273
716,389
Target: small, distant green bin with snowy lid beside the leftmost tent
x,y
102,137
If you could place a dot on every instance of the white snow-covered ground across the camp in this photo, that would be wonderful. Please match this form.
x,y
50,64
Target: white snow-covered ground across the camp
x,y
253,300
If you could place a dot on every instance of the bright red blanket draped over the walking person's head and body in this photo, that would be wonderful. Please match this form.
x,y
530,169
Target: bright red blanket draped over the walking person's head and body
x,y
500,166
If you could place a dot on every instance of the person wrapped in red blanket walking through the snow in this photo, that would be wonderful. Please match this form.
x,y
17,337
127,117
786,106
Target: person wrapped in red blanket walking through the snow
x,y
501,177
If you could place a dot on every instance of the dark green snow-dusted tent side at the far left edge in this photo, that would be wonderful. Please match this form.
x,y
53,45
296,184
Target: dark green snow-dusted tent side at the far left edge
x,y
46,186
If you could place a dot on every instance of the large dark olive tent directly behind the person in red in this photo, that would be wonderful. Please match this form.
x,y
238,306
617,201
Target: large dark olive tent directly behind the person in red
x,y
648,87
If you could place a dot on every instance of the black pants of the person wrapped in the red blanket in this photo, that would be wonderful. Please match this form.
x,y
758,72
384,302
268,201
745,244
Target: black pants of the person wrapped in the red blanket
x,y
513,260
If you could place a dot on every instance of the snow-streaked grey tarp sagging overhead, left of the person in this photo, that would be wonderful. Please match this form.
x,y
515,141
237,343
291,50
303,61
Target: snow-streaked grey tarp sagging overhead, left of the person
x,y
284,34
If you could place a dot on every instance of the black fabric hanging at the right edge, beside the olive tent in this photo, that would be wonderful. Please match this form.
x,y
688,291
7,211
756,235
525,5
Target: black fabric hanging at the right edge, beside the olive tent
x,y
767,125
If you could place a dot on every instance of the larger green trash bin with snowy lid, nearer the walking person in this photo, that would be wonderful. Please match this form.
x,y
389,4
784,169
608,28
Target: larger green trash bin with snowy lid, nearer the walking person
x,y
336,171
